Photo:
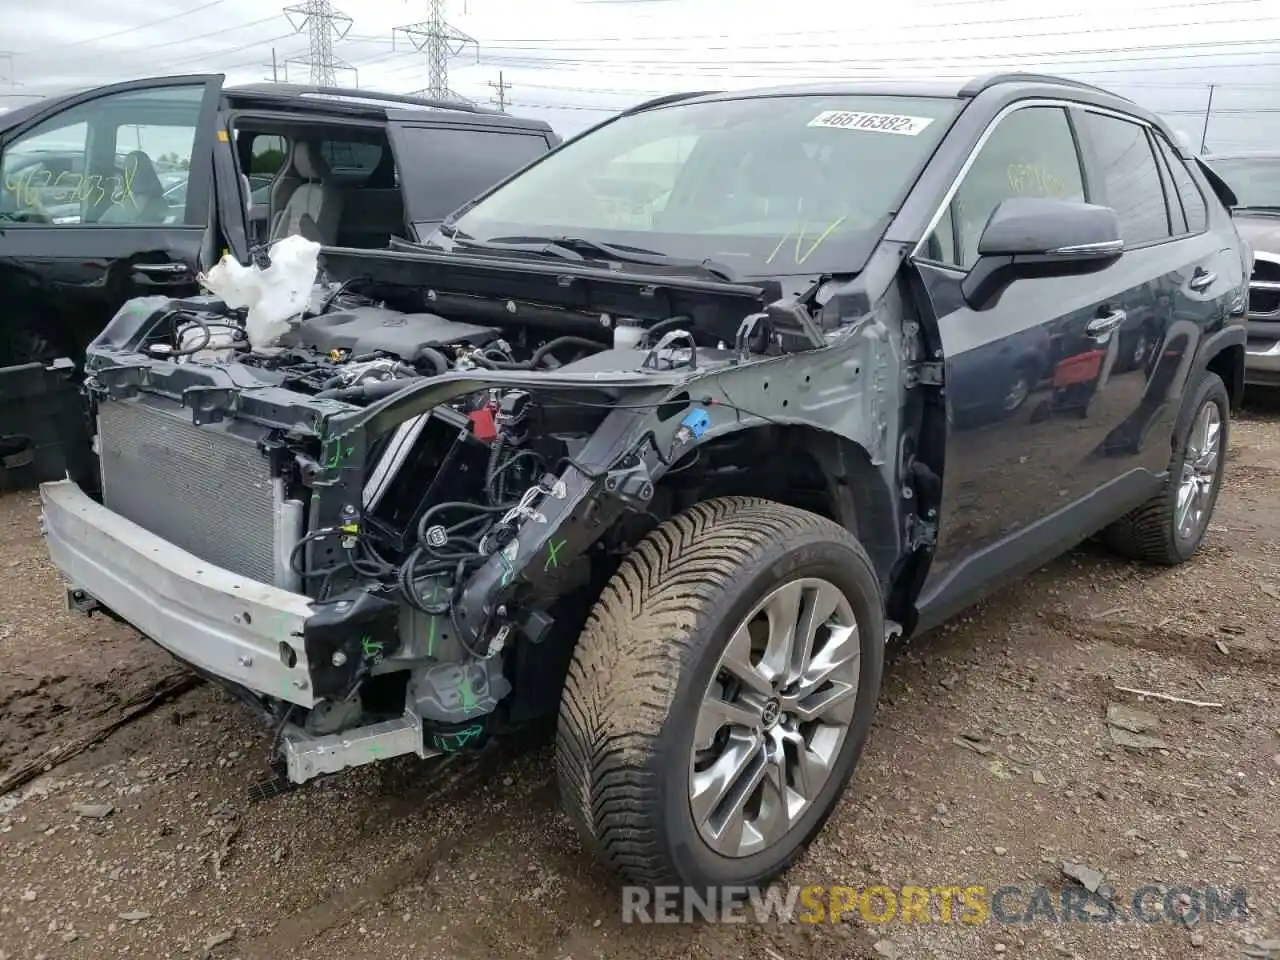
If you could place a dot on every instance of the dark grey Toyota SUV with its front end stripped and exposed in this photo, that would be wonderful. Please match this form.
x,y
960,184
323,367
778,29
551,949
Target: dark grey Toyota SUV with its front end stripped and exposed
x,y
664,435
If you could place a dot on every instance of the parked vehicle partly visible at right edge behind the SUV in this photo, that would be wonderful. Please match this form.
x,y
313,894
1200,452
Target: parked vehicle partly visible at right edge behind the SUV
x,y
1255,179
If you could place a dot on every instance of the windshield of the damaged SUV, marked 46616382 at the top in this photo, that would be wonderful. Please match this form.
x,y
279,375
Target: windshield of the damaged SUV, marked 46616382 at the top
x,y
766,186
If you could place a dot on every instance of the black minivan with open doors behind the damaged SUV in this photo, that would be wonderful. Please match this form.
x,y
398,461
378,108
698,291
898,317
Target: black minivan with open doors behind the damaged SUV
x,y
134,189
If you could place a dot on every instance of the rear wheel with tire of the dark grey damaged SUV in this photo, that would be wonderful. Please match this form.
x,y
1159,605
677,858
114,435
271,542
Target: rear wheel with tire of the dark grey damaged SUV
x,y
1171,527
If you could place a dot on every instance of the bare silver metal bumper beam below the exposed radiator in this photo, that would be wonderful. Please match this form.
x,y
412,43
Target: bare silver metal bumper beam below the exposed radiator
x,y
225,624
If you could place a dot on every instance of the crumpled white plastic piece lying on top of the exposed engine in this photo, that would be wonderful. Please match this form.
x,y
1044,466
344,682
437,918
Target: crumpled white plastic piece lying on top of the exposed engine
x,y
275,296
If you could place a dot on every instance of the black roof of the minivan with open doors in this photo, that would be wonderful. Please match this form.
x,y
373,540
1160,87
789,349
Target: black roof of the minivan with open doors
x,y
374,104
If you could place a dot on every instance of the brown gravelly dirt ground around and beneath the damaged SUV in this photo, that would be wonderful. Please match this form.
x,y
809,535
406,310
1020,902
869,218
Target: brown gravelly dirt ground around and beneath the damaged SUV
x,y
991,764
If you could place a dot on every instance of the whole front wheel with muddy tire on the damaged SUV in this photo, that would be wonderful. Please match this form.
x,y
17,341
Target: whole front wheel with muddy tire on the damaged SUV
x,y
696,747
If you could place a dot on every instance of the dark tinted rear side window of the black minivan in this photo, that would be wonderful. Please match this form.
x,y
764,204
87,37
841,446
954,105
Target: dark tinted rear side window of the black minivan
x,y
446,167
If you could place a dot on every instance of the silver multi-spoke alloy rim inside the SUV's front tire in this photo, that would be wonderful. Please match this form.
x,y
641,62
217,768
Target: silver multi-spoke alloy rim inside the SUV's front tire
x,y
774,717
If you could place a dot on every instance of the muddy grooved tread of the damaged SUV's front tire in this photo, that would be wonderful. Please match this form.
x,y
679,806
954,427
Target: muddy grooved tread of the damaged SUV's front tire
x,y
629,661
